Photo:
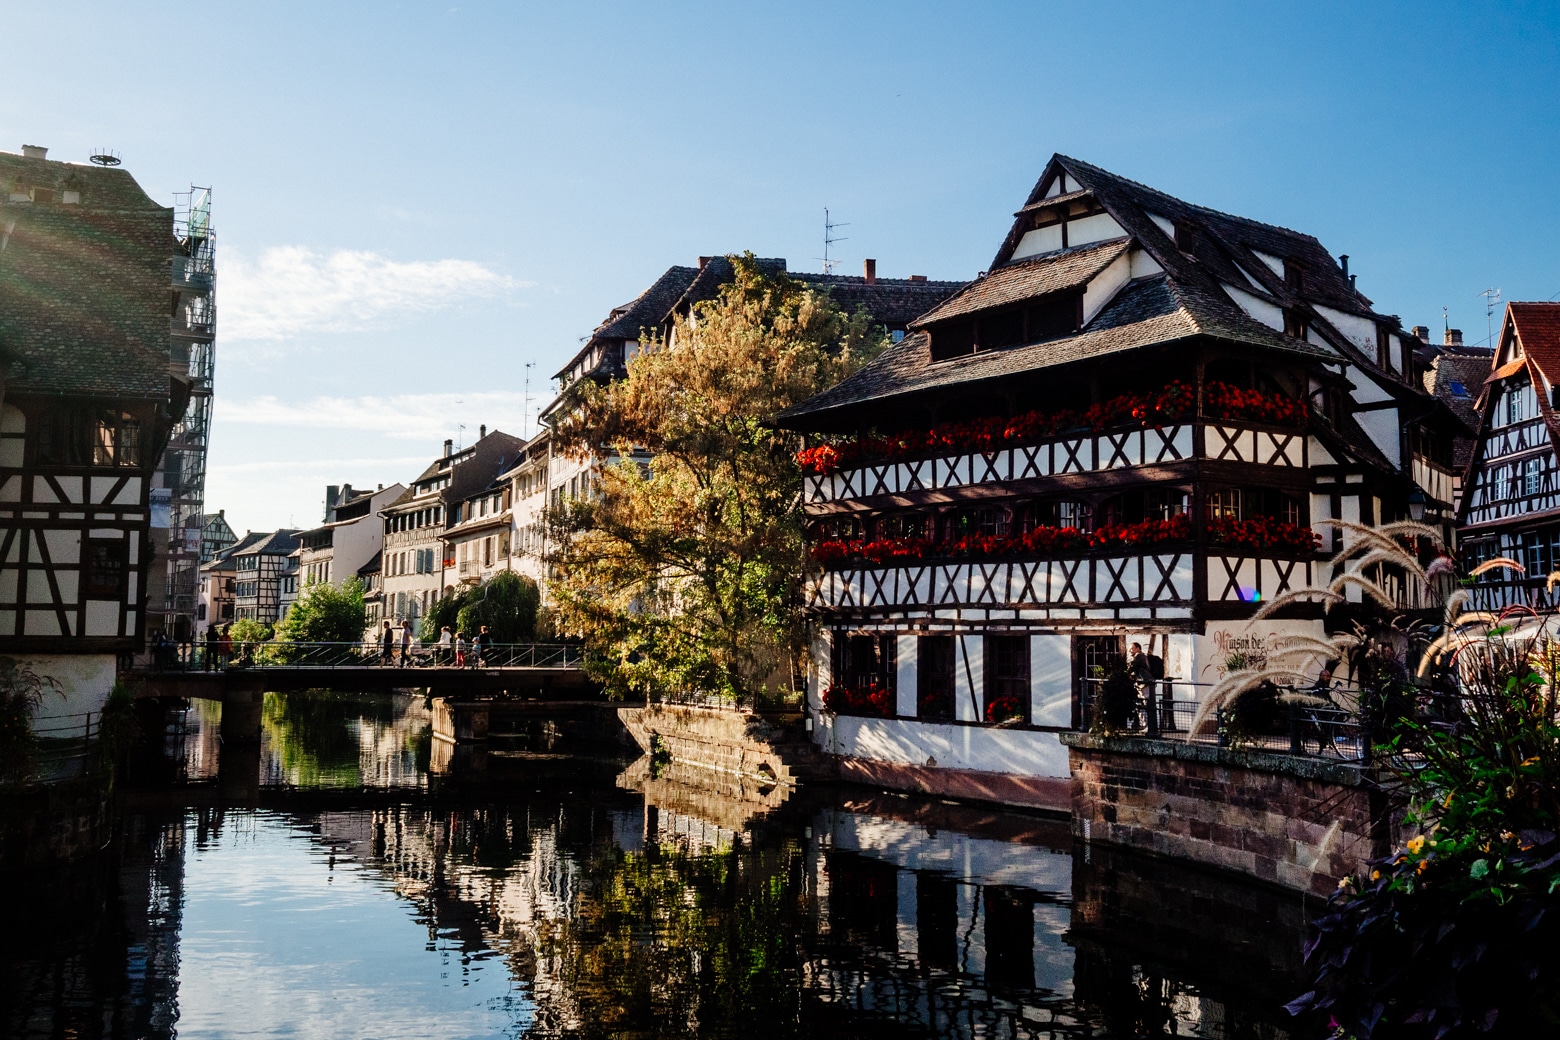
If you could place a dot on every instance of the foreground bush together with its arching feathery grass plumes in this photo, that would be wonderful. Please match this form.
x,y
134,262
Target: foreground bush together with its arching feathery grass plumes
x,y
1456,932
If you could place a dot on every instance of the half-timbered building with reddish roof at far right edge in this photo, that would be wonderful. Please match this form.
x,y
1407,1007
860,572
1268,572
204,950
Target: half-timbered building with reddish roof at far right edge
x,y
1512,501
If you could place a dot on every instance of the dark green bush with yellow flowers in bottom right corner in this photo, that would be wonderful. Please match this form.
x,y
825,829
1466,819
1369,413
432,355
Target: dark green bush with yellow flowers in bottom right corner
x,y
1458,933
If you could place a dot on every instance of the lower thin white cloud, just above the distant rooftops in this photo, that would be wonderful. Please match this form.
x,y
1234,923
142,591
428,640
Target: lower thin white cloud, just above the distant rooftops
x,y
425,417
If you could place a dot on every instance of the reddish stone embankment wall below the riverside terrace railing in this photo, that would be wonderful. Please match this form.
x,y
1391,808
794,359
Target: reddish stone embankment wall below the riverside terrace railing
x,y
1299,822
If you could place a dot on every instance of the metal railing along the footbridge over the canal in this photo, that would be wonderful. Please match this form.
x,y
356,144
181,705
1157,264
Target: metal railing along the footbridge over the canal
x,y
278,654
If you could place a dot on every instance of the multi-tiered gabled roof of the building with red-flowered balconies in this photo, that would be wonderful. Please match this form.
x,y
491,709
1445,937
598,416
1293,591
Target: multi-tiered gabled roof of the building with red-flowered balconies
x,y
1180,292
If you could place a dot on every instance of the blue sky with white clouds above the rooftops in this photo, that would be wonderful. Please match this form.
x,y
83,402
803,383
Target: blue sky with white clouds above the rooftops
x,y
416,200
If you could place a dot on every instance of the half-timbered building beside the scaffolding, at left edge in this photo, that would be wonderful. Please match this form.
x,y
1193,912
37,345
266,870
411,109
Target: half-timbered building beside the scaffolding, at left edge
x,y
87,405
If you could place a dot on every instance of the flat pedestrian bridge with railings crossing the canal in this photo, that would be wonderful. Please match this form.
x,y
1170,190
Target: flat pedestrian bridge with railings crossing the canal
x,y
522,670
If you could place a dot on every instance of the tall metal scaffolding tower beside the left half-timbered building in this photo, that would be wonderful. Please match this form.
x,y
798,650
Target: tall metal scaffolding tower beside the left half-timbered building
x,y
183,470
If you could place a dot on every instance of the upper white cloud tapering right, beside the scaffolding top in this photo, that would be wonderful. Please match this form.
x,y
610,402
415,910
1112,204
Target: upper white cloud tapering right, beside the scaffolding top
x,y
292,291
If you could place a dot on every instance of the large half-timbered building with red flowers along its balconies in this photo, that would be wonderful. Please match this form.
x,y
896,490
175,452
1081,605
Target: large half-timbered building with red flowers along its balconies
x,y
1127,431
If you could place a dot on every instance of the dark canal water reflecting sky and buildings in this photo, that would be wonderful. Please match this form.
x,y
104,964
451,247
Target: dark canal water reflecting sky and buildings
x,y
346,890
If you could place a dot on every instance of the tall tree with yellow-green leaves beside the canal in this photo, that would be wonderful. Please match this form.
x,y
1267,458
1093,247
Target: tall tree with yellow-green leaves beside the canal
x,y
684,573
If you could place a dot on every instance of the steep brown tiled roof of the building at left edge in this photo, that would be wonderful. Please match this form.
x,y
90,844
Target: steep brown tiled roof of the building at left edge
x,y
83,286
